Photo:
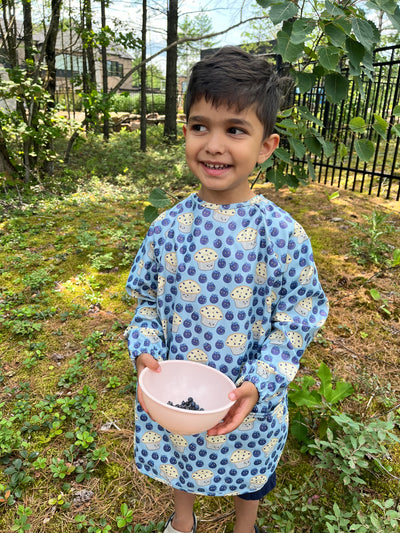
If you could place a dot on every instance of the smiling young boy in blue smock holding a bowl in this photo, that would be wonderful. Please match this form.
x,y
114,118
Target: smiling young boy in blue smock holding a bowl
x,y
227,278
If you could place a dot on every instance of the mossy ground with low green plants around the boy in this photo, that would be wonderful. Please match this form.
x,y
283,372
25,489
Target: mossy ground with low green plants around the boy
x,y
67,384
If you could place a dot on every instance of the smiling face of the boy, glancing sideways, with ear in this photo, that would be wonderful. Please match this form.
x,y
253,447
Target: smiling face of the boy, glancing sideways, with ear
x,y
222,147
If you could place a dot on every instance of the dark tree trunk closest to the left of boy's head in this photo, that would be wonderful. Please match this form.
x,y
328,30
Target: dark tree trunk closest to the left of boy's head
x,y
170,129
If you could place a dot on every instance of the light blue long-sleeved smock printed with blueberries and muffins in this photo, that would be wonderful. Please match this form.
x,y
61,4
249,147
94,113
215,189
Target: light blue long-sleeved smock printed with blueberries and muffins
x,y
234,287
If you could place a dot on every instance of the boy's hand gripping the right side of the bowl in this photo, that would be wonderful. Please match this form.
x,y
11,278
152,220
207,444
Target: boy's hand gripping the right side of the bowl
x,y
246,397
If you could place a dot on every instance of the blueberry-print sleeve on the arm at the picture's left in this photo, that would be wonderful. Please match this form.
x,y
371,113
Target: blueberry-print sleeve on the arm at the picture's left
x,y
145,333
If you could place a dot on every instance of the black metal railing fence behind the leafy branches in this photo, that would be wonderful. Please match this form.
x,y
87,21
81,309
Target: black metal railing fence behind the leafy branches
x,y
381,175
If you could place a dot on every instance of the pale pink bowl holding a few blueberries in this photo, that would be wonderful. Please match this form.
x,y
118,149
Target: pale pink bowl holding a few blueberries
x,y
176,382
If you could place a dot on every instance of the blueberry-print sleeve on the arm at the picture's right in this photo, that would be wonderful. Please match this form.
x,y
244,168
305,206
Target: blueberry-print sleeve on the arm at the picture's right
x,y
298,307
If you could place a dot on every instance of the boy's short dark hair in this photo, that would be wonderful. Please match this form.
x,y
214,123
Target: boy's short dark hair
x,y
237,79
